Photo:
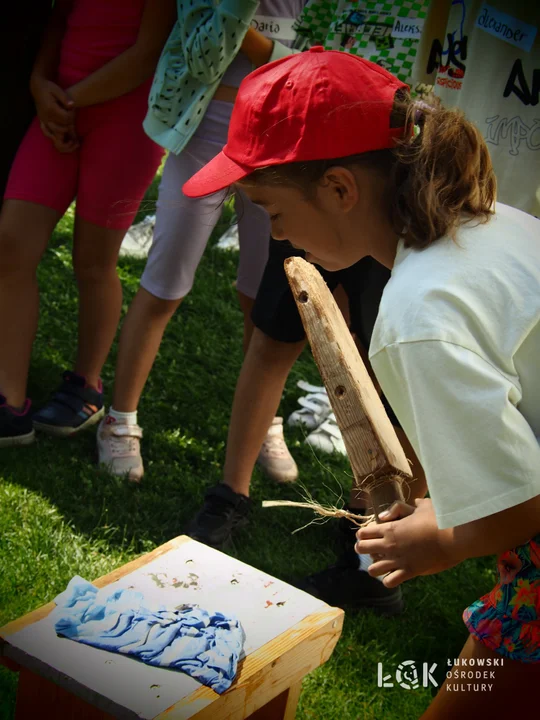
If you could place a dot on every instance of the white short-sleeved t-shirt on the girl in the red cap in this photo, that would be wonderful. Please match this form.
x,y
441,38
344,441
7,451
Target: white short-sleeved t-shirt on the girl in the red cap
x,y
456,348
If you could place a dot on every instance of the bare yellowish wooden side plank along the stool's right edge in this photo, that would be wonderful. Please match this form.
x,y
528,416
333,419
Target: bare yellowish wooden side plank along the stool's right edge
x,y
267,673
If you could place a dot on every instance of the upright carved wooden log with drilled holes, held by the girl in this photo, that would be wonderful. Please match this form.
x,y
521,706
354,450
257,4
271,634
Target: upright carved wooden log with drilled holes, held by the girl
x,y
375,453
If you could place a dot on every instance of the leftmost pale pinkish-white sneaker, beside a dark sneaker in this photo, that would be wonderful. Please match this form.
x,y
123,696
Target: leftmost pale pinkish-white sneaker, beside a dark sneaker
x,y
119,448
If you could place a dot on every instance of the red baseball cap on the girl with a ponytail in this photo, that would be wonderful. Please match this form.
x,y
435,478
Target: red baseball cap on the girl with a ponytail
x,y
316,105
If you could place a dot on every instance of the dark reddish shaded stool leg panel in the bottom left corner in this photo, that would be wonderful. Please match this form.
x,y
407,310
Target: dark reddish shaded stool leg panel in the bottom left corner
x,y
40,698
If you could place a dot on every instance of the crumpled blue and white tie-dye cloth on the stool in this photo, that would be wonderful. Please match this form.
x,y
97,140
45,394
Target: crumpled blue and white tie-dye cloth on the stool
x,y
203,645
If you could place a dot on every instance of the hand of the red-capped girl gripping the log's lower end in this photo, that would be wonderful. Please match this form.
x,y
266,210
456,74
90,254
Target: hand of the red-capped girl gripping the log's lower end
x,y
405,547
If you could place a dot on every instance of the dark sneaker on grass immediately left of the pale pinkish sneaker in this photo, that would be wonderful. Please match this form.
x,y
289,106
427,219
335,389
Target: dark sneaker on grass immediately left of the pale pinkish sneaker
x,y
73,407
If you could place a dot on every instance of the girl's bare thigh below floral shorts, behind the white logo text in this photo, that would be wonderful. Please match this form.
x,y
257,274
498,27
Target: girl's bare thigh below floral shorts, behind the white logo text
x,y
512,695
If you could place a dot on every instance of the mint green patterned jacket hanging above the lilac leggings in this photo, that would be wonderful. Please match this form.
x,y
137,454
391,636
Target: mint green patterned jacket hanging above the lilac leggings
x,y
202,44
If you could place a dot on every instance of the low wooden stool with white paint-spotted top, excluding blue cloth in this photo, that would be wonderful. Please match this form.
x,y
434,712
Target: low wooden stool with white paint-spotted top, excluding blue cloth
x,y
288,634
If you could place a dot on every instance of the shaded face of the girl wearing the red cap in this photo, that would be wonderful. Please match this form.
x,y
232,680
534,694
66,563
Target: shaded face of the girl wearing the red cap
x,y
332,226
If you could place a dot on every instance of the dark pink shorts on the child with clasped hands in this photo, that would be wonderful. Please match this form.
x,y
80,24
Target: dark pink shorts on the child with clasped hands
x,y
109,173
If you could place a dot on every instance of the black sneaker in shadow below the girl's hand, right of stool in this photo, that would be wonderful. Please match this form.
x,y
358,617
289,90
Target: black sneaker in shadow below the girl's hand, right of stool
x,y
344,585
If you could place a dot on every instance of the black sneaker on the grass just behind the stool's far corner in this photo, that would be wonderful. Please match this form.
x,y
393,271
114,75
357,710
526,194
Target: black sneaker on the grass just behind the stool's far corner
x,y
223,511
